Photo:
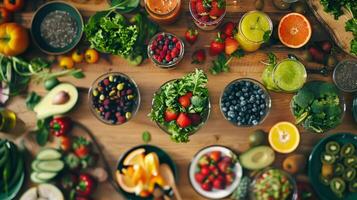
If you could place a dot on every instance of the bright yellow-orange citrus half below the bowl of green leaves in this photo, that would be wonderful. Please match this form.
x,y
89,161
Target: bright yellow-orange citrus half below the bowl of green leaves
x,y
284,137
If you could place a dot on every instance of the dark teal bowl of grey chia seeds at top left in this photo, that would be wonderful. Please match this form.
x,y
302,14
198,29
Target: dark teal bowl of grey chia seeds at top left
x,y
56,27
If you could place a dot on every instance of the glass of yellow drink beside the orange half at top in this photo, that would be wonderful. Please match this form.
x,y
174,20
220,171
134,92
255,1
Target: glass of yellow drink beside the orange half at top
x,y
251,30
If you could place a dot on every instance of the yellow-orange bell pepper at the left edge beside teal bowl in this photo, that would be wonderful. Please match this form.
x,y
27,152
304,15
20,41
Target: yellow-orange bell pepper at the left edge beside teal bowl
x,y
14,39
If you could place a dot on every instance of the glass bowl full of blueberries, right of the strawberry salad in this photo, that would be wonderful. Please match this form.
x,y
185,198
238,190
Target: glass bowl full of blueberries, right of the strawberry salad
x,y
245,102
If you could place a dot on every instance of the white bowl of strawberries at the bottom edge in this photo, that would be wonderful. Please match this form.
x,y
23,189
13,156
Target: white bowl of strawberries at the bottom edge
x,y
215,172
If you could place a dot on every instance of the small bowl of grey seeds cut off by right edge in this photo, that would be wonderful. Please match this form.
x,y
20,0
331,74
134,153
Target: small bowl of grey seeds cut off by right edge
x,y
345,75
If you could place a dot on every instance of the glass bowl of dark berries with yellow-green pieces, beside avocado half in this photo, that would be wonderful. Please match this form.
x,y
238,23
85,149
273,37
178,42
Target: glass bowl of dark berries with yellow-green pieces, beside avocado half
x,y
114,98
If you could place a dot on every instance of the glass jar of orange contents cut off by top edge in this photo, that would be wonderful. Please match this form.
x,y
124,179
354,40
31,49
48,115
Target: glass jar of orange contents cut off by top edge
x,y
163,11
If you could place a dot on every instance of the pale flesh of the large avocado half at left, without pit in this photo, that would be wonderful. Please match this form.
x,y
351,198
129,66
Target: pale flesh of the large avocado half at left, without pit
x,y
47,108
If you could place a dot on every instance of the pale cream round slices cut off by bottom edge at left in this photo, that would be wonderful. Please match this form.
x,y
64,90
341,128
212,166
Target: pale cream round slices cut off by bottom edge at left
x,y
43,192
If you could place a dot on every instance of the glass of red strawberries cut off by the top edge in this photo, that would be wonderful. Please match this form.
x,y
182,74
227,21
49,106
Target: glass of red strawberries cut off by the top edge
x,y
207,14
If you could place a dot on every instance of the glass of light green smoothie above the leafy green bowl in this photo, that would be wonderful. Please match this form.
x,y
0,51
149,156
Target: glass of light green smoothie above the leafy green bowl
x,y
289,75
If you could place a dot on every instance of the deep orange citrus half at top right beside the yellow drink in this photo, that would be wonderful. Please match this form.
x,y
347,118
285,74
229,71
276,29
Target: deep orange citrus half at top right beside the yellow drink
x,y
294,30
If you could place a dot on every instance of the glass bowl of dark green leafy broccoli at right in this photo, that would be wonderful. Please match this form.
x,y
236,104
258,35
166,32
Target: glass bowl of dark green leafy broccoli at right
x,y
318,106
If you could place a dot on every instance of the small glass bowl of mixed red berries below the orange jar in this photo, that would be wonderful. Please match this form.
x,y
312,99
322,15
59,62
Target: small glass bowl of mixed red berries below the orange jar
x,y
165,50
